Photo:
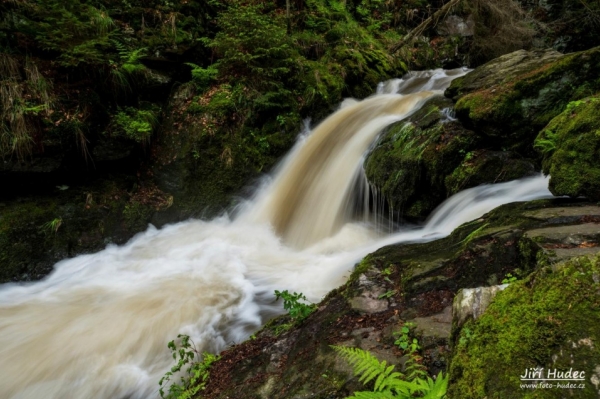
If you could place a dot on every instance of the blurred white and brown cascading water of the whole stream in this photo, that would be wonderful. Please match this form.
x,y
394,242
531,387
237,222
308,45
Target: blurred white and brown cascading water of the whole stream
x,y
98,326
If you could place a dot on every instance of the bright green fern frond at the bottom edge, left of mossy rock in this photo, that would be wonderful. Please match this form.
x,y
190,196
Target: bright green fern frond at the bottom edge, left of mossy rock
x,y
387,382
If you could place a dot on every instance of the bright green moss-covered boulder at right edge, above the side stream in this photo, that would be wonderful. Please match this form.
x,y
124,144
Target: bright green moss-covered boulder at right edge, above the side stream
x,y
570,145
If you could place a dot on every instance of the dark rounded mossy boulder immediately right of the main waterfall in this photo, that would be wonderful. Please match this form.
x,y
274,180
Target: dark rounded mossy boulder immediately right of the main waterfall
x,y
410,161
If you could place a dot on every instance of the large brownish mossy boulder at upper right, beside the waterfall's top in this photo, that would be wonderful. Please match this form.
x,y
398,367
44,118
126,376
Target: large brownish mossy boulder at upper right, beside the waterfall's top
x,y
510,99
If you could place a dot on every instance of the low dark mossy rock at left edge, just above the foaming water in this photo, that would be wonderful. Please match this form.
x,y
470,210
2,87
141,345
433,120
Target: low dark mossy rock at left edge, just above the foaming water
x,y
36,232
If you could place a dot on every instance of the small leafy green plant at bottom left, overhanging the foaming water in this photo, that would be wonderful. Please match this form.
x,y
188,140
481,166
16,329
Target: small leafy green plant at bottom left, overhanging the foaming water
x,y
196,374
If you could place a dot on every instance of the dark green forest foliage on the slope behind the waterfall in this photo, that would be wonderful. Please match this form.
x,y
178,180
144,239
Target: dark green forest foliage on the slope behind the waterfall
x,y
73,71
